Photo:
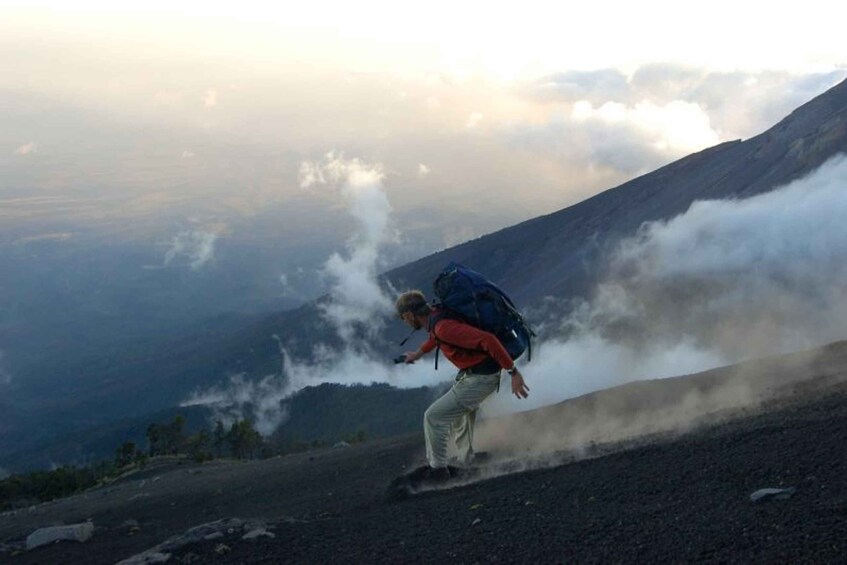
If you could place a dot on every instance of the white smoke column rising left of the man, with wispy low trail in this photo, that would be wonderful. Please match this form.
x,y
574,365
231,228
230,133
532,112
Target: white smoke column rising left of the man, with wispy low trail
x,y
356,302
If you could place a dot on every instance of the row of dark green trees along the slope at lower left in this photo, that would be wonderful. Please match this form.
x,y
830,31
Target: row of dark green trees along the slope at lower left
x,y
239,441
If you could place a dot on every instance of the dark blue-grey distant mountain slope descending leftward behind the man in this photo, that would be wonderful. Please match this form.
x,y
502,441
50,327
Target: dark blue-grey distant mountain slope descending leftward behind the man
x,y
558,255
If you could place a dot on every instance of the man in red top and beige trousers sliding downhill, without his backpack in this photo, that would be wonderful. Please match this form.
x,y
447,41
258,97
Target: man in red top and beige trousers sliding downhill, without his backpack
x,y
479,356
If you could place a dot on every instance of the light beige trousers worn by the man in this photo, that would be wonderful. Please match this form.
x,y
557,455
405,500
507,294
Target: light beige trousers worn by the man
x,y
454,414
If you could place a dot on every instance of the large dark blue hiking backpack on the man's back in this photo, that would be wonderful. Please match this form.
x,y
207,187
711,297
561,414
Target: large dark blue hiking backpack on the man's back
x,y
468,296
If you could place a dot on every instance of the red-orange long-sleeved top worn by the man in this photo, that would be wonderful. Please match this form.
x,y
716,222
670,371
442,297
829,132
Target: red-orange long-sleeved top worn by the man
x,y
465,345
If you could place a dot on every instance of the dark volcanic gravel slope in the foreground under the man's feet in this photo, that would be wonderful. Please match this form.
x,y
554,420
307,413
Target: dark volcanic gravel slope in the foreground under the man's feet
x,y
659,499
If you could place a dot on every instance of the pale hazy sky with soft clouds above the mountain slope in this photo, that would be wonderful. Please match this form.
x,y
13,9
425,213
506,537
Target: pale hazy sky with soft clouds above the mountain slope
x,y
135,115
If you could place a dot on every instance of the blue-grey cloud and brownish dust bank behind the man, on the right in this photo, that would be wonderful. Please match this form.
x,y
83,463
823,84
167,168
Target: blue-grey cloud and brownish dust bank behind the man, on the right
x,y
724,282
